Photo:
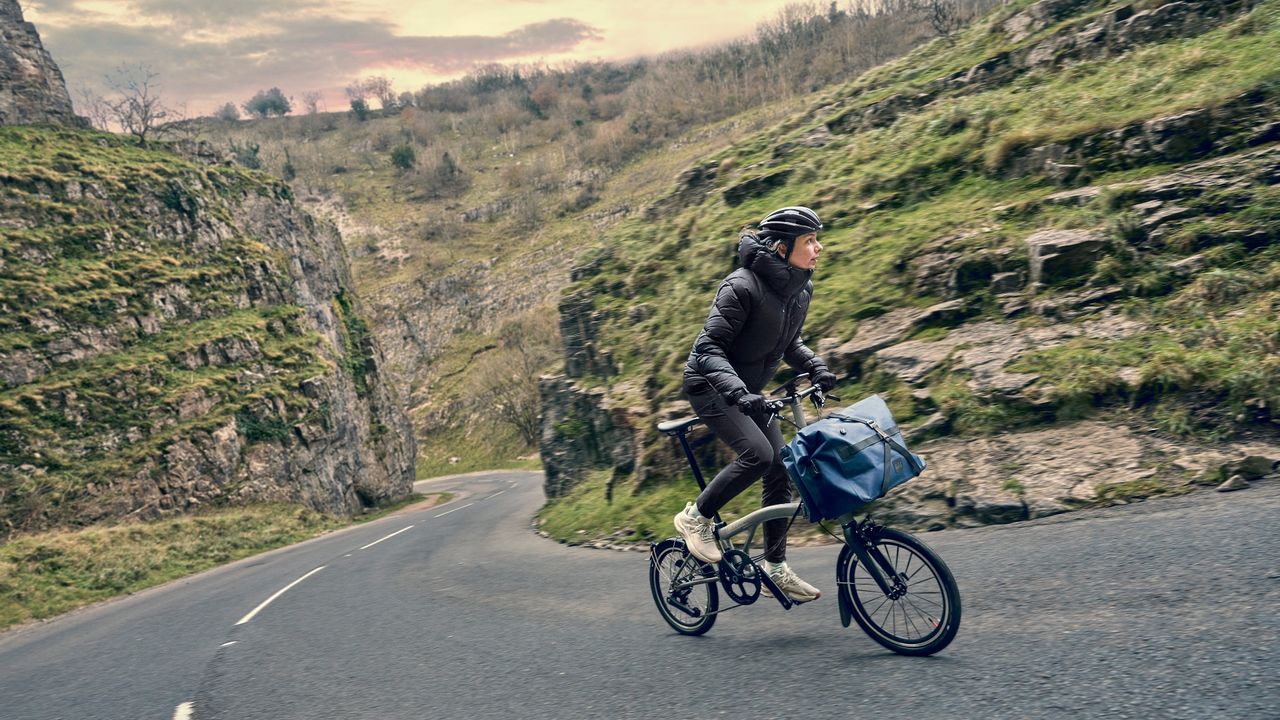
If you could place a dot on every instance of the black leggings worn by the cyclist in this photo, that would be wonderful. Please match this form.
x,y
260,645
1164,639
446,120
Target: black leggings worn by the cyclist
x,y
757,446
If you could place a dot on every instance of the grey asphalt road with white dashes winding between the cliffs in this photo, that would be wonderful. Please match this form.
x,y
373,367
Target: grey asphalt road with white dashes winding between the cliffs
x,y
1164,609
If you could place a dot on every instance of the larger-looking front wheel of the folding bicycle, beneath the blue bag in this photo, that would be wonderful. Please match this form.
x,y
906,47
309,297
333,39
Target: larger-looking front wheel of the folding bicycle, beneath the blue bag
x,y
915,608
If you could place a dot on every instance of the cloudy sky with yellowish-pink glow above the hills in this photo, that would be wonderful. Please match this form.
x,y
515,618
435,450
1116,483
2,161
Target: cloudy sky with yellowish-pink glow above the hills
x,y
213,52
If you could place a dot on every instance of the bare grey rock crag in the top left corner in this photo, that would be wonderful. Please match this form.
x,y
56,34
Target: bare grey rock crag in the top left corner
x,y
33,90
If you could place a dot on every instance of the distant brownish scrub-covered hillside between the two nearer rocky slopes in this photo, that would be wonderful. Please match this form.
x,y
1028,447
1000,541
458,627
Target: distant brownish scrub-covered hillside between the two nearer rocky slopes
x,y
506,179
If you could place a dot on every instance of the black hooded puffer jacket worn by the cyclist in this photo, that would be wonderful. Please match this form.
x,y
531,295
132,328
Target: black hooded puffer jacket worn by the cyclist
x,y
755,325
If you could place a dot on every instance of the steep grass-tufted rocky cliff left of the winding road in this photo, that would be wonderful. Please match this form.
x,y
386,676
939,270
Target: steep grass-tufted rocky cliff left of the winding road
x,y
177,334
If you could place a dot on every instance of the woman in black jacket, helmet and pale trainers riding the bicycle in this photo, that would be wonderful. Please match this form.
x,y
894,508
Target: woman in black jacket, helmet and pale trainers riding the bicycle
x,y
755,323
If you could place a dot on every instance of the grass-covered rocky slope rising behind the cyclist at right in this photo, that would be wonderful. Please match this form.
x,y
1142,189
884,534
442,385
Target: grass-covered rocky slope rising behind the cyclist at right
x,y
1053,245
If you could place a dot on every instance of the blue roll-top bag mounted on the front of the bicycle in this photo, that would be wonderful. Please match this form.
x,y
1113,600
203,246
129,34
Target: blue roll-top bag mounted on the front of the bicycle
x,y
849,459
